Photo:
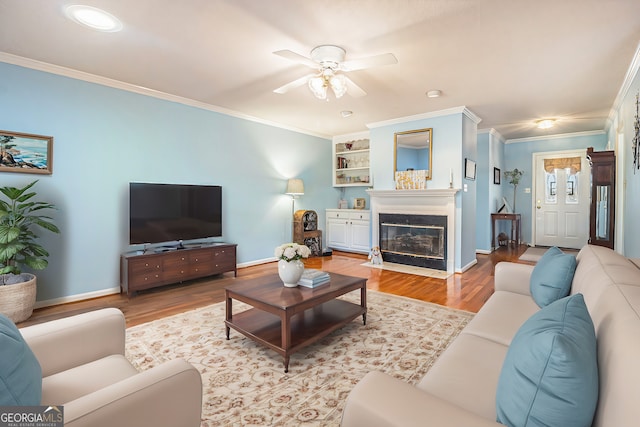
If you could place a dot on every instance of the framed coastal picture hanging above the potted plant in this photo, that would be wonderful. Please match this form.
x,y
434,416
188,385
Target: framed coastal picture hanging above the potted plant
x,y
26,153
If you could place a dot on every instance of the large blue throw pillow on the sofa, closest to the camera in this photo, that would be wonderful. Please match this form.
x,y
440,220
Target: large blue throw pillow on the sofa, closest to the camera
x,y
550,374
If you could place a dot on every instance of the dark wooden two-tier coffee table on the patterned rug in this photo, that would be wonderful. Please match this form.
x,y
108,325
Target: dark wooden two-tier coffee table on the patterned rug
x,y
288,319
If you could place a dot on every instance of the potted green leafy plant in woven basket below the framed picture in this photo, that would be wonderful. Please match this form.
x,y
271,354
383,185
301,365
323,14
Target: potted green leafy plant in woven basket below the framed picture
x,y
19,216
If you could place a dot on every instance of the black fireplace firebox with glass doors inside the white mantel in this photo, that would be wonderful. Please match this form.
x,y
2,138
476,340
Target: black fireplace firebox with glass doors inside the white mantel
x,y
418,240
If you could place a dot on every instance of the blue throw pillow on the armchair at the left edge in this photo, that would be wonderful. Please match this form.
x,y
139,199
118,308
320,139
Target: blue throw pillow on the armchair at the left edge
x,y
20,372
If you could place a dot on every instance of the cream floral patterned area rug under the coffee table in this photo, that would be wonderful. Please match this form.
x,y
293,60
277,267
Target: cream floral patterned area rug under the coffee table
x,y
245,384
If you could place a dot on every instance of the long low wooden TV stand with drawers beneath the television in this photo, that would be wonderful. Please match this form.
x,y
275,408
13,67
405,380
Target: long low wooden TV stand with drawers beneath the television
x,y
150,270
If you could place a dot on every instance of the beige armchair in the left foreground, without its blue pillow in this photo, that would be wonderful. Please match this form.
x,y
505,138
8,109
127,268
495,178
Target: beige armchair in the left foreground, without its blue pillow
x,y
85,370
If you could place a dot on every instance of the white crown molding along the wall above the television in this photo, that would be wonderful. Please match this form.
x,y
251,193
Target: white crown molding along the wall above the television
x,y
141,90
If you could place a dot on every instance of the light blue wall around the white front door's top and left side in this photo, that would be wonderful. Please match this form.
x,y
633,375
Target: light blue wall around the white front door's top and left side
x,y
520,155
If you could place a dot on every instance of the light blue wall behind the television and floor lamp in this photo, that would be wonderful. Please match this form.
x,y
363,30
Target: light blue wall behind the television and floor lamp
x,y
105,138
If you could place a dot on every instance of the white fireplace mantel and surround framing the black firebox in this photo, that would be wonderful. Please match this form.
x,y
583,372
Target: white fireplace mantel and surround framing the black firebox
x,y
429,201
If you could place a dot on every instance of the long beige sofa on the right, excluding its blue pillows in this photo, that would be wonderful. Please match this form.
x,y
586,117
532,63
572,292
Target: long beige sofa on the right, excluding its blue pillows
x,y
460,389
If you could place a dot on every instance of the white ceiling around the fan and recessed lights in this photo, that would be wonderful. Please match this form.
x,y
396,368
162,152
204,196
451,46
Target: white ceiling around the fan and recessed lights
x,y
510,62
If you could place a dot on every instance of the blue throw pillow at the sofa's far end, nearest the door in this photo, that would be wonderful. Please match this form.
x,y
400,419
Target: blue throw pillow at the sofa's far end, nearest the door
x,y
552,276
